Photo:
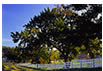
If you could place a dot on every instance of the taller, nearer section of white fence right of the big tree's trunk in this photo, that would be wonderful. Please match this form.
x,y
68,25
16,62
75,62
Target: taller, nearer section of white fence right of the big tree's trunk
x,y
87,63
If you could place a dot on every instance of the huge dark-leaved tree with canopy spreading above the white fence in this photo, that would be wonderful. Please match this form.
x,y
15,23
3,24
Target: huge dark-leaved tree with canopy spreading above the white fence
x,y
63,29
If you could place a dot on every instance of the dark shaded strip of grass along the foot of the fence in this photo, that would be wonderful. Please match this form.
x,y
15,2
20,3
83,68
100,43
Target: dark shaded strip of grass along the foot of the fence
x,y
74,69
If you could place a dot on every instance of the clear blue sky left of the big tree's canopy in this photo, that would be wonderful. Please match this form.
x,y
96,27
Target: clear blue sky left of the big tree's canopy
x,y
14,16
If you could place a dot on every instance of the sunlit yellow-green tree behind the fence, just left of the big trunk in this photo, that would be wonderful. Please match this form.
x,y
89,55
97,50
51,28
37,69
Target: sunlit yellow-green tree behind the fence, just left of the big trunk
x,y
46,56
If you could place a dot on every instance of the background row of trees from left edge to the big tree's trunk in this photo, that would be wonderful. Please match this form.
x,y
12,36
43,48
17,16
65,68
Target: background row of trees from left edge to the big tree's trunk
x,y
34,55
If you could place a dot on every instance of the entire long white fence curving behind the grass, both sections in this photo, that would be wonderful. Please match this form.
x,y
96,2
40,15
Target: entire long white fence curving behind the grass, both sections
x,y
88,63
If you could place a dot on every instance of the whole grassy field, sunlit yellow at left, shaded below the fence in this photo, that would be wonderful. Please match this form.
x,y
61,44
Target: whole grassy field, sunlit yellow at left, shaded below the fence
x,y
13,67
